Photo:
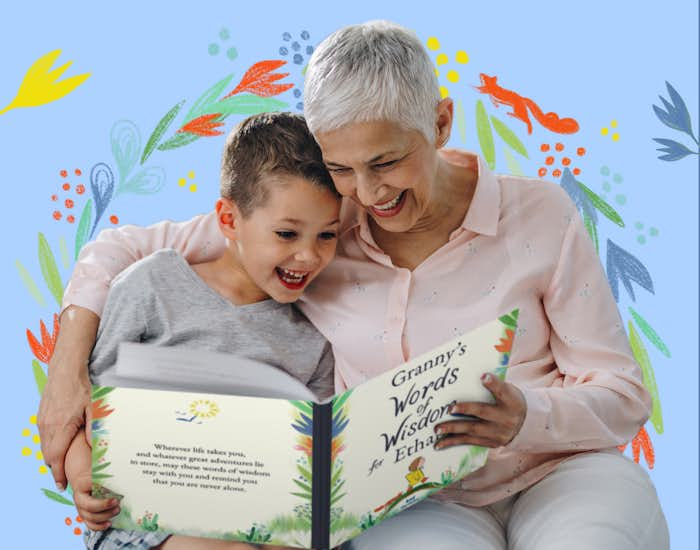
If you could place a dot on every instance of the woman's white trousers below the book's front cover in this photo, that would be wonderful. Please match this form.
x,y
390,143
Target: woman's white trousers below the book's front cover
x,y
600,501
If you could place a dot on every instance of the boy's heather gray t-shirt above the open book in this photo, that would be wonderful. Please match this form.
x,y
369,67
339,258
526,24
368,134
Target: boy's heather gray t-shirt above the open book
x,y
160,300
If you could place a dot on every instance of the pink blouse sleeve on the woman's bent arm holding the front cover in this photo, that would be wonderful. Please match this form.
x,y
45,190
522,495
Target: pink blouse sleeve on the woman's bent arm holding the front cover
x,y
602,401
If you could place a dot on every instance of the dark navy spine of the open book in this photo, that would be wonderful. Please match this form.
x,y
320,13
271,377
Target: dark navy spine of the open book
x,y
321,476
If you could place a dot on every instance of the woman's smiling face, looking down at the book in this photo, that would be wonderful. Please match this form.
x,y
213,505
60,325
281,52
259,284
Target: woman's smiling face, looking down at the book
x,y
386,169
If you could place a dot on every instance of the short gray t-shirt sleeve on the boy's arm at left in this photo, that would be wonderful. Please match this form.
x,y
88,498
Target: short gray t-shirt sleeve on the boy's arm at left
x,y
123,320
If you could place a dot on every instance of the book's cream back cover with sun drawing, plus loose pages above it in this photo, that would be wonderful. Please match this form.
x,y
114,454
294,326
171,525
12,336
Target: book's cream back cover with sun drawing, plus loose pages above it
x,y
202,464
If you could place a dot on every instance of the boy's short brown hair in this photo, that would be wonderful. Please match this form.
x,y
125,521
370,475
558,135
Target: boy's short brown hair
x,y
264,145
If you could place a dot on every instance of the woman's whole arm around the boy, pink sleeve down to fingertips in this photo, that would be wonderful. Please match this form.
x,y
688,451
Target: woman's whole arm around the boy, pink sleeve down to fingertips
x,y
65,401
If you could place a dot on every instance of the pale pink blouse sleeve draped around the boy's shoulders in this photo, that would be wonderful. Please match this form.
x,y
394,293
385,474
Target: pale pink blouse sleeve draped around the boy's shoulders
x,y
114,250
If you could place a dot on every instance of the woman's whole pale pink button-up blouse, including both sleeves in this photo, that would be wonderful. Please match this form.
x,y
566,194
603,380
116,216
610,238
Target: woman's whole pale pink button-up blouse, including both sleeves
x,y
521,245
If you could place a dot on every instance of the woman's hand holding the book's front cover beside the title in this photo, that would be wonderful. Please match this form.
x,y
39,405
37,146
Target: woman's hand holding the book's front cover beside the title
x,y
494,425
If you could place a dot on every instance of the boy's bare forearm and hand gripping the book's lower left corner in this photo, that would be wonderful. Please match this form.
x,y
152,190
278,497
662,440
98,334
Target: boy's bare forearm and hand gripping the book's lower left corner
x,y
95,512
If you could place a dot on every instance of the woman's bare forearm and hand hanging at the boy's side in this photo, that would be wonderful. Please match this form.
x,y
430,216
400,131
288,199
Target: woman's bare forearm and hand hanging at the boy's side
x,y
65,402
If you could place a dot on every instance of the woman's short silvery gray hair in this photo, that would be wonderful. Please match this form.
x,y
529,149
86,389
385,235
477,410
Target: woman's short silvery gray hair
x,y
374,71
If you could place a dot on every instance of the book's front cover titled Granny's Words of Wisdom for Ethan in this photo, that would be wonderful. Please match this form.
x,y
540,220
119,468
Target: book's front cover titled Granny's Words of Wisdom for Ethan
x,y
383,459
